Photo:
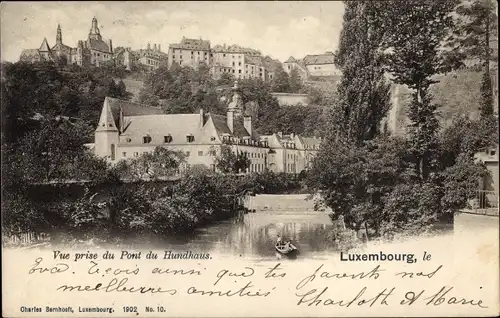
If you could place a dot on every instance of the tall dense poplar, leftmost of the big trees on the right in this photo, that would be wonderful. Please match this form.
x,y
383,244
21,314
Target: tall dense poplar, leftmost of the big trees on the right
x,y
363,96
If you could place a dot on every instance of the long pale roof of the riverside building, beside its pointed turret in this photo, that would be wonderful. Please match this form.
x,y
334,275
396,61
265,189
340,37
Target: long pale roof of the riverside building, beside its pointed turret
x,y
178,126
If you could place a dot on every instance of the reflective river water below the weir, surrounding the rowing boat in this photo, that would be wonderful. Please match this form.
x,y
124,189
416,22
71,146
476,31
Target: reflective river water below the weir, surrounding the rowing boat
x,y
255,235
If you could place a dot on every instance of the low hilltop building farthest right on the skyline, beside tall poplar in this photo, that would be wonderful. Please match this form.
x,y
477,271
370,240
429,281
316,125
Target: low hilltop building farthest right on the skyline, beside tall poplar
x,y
319,65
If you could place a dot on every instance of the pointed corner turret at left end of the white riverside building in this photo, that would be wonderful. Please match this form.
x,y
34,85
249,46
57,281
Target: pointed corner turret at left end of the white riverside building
x,y
106,134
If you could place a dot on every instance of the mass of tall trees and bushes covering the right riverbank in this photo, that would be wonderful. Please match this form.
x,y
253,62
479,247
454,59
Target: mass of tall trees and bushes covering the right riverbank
x,y
392,183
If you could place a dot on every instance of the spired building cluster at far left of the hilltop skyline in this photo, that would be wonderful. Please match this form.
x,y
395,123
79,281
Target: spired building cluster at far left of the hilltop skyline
x,y
93,51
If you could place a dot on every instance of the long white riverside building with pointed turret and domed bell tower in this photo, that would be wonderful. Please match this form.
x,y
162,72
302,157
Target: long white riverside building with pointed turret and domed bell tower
x,y
126,130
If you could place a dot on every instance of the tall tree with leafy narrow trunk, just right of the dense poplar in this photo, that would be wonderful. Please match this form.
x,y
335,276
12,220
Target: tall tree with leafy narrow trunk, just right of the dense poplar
x,y
414,42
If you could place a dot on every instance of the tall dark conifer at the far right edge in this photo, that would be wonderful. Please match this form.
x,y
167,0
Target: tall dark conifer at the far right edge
x,y
476,36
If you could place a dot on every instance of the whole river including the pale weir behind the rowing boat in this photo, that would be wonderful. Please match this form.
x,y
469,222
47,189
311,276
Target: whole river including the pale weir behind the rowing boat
x,y
254,235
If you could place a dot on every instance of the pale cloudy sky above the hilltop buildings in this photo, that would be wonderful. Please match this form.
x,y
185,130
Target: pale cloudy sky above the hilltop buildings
x,y
279,29
